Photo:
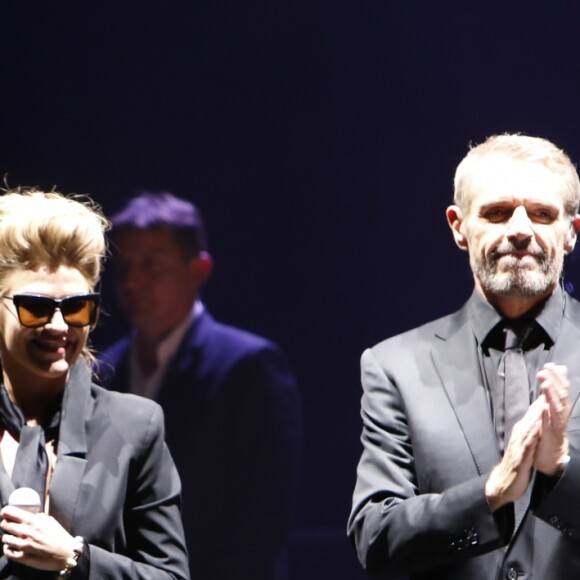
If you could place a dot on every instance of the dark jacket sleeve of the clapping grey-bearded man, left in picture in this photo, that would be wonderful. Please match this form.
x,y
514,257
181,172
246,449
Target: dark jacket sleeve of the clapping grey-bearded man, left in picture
x,y
396,526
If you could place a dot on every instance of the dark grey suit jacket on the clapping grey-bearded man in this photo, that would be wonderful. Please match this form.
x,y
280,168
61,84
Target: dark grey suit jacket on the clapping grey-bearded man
x,y
419,505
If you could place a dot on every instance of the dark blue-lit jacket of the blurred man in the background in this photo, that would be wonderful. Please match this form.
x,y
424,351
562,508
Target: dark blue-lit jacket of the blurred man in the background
x,y
233,424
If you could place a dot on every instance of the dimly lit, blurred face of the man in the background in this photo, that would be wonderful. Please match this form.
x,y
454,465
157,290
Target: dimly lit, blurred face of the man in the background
x,y
156,284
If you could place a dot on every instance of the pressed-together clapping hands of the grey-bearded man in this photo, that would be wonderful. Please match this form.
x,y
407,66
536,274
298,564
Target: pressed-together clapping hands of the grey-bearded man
x,y
538,441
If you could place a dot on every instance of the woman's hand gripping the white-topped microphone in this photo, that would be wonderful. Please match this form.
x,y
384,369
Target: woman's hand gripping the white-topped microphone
x,y
35,540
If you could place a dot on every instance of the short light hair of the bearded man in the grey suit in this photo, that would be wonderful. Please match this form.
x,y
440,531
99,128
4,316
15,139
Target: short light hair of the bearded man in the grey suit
x,y
519,148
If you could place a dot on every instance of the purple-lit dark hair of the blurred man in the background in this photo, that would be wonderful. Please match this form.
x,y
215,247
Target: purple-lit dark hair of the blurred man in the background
x,y
150,210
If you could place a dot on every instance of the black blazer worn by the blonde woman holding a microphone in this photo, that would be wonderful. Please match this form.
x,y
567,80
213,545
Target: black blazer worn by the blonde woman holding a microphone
x,y
115,484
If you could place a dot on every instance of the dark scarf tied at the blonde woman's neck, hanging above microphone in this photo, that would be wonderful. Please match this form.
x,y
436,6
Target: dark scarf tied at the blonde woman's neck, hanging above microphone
x,y
31,463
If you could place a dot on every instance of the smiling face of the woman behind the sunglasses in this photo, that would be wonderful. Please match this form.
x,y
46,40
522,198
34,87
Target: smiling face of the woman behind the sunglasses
x,y
46,352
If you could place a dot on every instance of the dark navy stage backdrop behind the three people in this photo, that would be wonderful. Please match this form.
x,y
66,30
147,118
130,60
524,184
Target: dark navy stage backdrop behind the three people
x,y
319,138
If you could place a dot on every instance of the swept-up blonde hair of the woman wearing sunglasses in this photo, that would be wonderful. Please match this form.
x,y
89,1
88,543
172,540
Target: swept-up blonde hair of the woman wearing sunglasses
x,y
39,228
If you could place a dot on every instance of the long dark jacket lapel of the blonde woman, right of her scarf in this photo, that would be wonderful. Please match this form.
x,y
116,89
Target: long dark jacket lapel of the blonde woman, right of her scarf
x,y
72,447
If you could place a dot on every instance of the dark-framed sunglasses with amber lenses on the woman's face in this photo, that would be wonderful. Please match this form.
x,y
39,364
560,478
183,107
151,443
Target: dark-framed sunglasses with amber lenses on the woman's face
x,y
35,311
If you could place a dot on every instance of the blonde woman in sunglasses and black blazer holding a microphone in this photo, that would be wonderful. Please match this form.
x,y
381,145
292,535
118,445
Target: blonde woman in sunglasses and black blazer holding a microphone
x,y
108,490
